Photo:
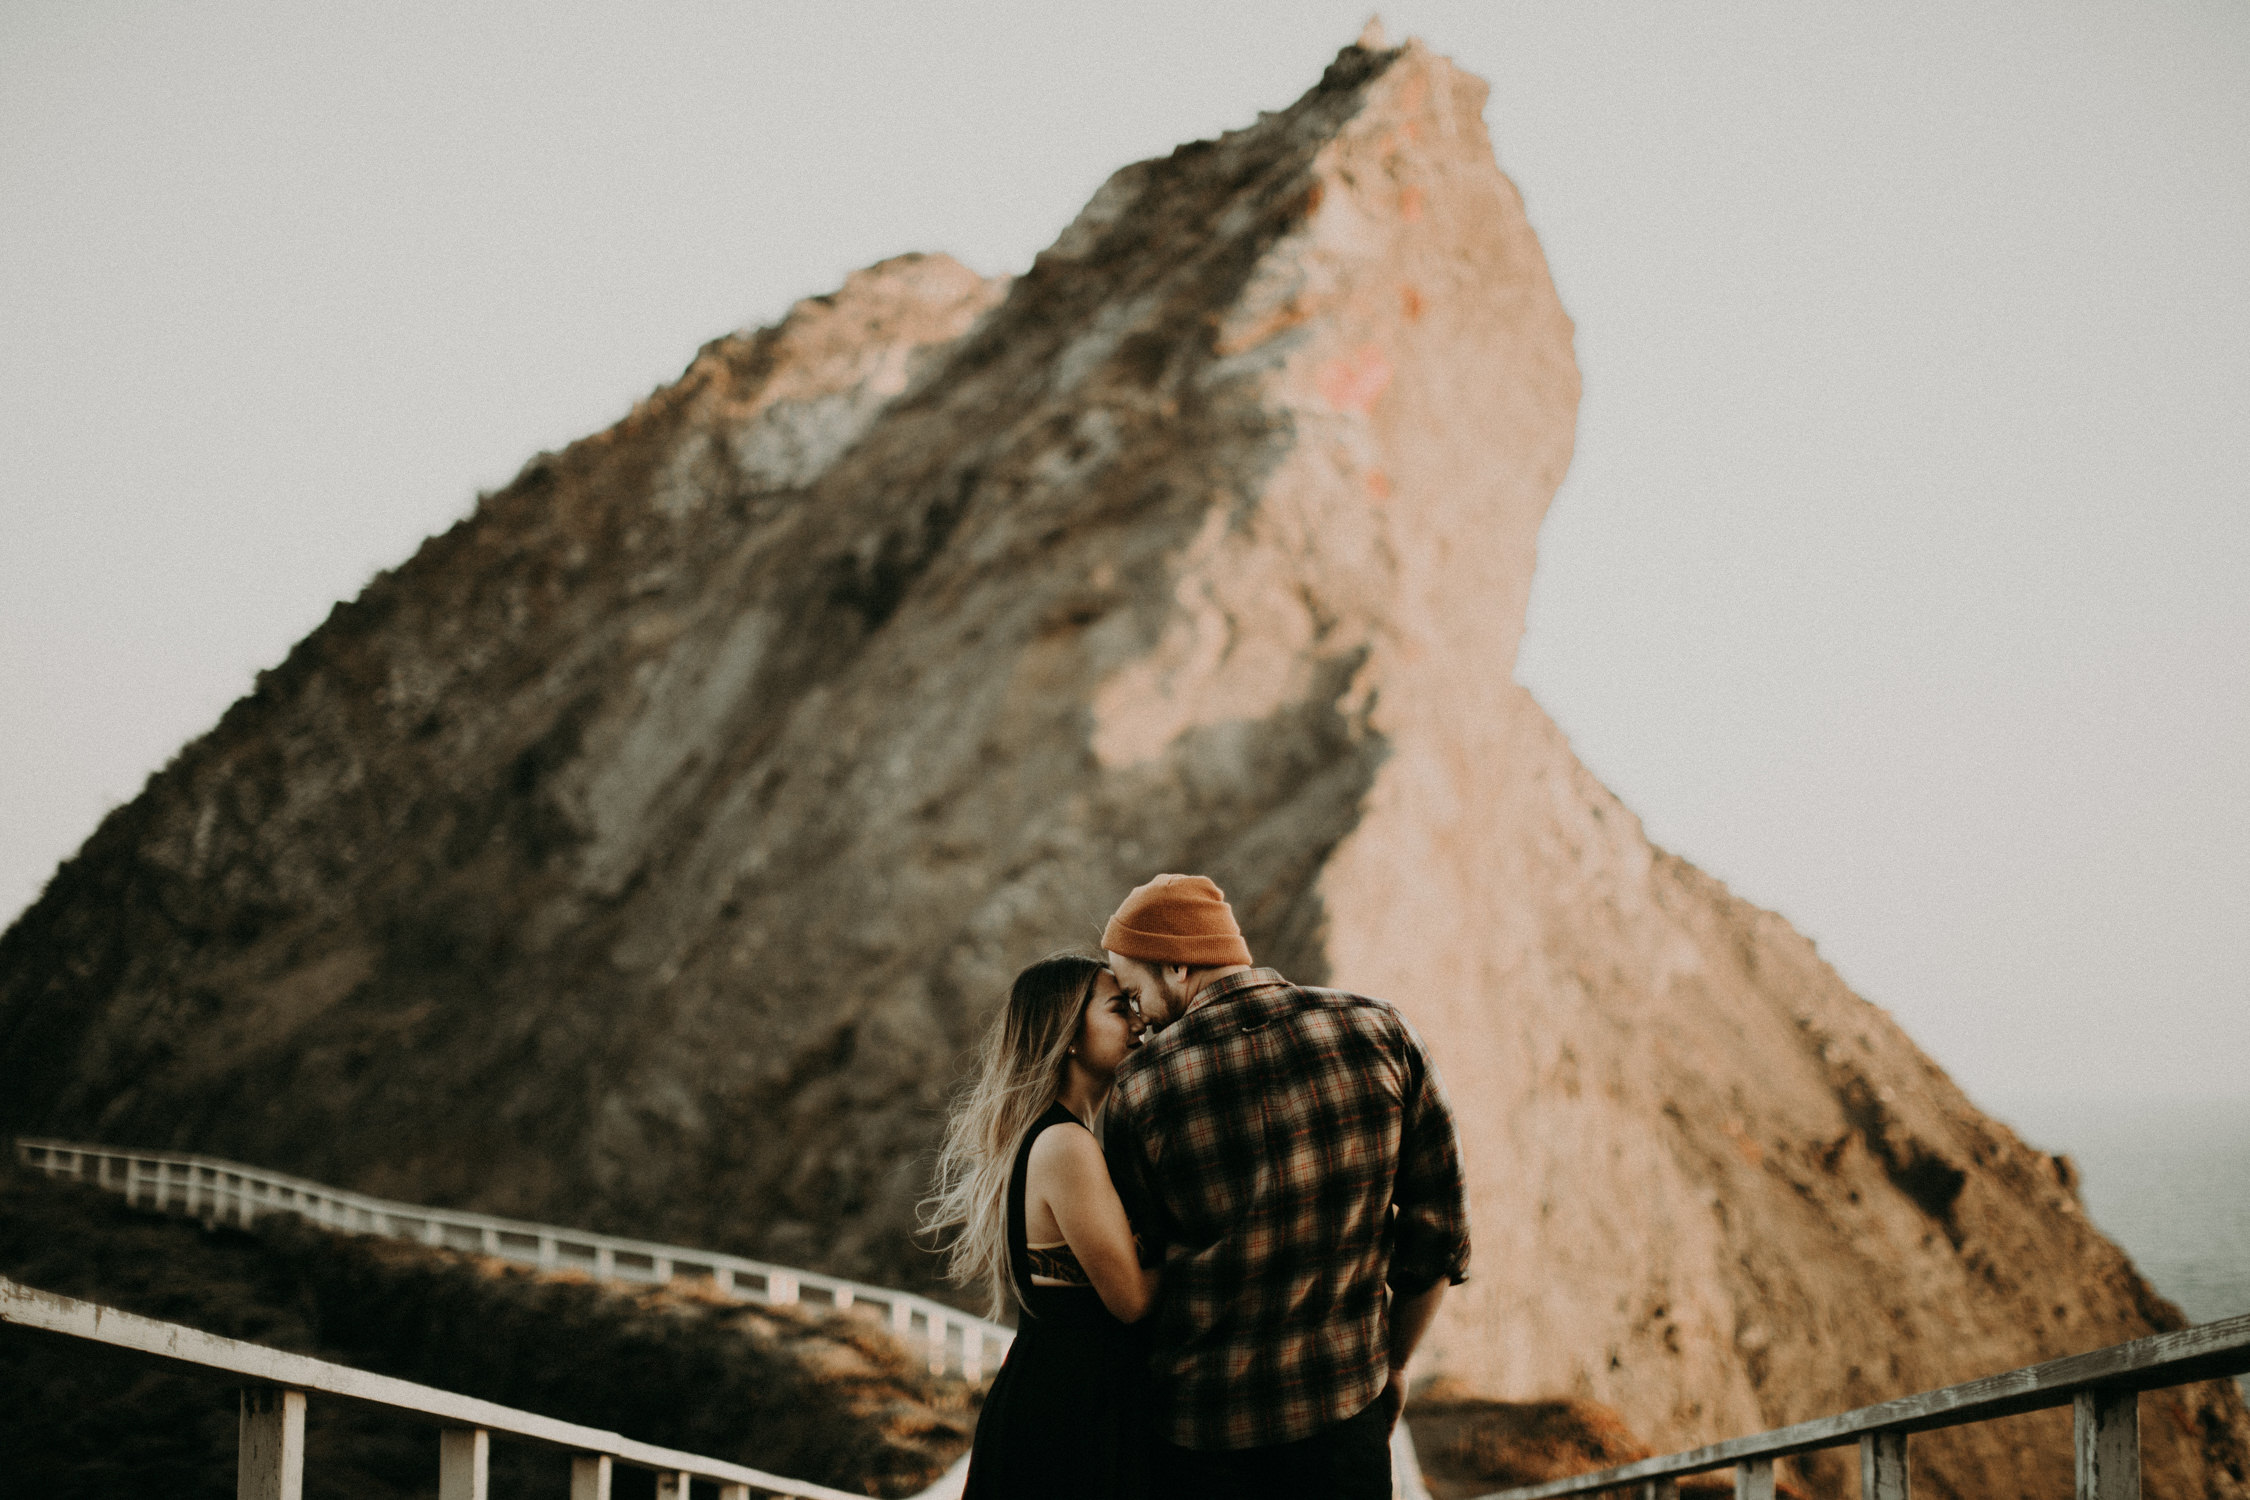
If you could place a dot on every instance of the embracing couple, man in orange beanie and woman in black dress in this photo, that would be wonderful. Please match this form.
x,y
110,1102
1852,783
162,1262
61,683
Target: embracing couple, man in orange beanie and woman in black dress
x,y
1218,1296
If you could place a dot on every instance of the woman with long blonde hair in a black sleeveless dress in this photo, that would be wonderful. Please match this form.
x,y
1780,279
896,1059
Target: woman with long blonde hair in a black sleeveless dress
x,y
1038,1222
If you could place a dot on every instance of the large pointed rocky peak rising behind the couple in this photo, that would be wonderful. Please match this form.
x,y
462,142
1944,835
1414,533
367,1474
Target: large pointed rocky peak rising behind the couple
x,y
649,849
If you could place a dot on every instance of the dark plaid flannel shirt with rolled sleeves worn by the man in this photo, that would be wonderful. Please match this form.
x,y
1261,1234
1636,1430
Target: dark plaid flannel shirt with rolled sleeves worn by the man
x,y
1290,1153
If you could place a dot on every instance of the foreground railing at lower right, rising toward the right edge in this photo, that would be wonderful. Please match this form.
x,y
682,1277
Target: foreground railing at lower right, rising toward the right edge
x,y
2103,1389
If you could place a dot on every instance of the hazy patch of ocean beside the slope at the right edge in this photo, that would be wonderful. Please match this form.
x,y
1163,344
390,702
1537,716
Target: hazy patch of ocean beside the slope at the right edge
x,y
2170,1182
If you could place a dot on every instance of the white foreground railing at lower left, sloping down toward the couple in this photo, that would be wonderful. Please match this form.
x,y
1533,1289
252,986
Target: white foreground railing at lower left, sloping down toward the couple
x,y
271,1431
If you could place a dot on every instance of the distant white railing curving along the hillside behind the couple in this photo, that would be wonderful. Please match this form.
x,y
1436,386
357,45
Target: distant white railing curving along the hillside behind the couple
x,y
231,1193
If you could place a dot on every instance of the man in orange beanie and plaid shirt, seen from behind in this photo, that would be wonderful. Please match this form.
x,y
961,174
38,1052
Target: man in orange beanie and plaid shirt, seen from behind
x,y
1293,1157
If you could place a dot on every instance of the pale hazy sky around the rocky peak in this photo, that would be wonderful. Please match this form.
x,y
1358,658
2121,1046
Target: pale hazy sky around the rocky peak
x,y
1900,579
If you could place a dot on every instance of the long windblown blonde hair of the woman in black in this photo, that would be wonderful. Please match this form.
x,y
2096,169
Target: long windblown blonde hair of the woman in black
x,y
1018,1076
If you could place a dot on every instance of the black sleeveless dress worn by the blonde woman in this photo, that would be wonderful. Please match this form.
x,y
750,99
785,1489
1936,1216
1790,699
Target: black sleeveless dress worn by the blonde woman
x,y
1068,1413
